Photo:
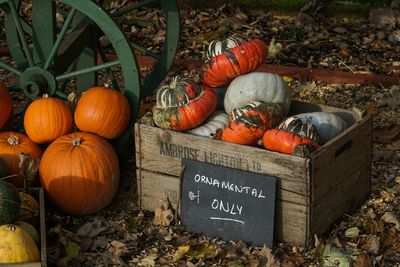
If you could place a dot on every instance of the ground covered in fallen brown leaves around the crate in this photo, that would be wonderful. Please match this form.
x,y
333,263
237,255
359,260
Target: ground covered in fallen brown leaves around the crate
x,y
124,235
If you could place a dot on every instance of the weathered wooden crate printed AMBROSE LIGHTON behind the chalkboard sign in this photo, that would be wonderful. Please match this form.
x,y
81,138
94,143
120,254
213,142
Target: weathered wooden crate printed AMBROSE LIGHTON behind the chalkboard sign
x,y
311,193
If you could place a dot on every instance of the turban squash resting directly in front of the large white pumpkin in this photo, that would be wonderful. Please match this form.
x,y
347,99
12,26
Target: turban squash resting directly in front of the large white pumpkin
x,y
248,124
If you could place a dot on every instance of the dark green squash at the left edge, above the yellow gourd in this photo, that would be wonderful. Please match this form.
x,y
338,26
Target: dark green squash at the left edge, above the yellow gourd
x,y
10,203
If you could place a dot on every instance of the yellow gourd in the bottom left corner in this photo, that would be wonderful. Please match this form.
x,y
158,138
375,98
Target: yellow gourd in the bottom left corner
x,y
16,246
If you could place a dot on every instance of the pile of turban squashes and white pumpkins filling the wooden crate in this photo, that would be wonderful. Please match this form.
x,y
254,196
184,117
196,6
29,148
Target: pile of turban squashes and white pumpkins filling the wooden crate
x,y
256,104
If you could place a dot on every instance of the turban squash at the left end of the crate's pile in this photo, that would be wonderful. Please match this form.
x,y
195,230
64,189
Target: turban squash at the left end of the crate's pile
x,y
183,105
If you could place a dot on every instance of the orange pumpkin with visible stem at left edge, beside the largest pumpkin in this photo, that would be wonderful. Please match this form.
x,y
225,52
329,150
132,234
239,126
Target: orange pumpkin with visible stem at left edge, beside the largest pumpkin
x,y
11,145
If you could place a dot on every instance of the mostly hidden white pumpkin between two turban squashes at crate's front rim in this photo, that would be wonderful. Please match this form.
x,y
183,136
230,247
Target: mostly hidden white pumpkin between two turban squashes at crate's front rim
x,y
218,120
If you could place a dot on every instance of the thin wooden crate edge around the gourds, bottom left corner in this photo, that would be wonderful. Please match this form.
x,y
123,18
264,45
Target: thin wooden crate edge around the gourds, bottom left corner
x,y
39,196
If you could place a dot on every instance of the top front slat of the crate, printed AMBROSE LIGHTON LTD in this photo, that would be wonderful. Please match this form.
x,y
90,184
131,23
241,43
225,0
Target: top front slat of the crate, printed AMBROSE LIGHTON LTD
x,y
162,151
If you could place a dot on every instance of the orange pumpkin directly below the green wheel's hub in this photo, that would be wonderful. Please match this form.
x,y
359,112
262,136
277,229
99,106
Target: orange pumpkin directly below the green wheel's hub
x,y
46,119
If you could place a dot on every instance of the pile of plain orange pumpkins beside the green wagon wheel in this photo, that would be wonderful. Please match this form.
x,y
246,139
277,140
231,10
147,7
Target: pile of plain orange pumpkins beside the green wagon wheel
x,y
79,171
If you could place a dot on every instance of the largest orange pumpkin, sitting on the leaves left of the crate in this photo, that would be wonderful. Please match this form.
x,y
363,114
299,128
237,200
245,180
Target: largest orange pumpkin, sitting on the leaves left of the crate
x,y
80,173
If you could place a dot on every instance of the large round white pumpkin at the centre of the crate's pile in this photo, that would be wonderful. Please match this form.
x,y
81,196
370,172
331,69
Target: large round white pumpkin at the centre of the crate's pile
x,y
260,86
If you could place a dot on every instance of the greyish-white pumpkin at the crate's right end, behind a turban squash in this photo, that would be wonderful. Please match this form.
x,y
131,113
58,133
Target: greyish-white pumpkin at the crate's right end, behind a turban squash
x,y
328,125
